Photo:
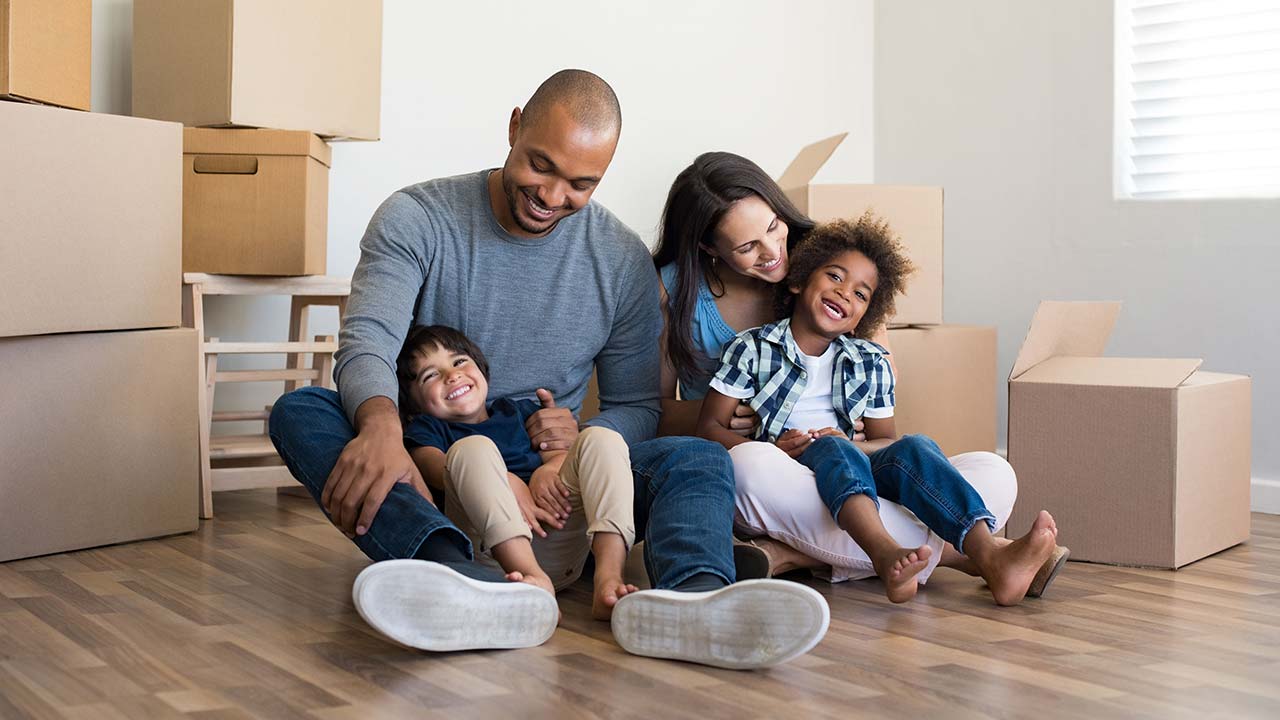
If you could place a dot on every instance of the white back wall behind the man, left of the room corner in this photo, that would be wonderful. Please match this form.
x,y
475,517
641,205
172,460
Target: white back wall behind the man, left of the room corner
x,y
756,78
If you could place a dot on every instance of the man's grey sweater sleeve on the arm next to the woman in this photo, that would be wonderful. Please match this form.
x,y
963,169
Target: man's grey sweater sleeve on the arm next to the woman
x,y
628,367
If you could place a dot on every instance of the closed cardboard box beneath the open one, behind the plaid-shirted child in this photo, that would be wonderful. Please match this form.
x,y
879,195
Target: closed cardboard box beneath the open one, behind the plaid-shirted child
x,y
947,385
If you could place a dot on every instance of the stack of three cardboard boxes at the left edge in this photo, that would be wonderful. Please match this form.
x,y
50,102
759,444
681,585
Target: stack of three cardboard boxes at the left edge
x,y
98,395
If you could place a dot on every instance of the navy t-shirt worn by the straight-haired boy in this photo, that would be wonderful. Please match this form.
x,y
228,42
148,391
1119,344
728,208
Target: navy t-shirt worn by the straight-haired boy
x,y
505,427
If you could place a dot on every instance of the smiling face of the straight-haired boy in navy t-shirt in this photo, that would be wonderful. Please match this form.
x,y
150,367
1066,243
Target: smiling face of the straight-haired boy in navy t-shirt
x,y
450,386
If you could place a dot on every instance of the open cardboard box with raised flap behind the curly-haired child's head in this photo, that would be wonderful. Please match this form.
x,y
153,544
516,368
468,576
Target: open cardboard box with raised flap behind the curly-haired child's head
x,y
915,213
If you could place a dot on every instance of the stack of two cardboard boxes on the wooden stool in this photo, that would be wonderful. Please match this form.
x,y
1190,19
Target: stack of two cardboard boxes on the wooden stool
x,y
257,202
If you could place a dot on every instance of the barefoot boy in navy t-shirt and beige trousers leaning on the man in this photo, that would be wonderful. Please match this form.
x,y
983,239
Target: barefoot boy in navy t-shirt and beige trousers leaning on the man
x,y
499,490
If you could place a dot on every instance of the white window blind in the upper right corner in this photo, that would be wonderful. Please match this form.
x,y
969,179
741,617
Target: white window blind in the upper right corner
x,y
1197,99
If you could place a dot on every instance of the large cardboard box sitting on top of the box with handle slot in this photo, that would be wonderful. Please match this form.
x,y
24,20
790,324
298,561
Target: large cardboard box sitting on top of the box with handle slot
x,y
286,65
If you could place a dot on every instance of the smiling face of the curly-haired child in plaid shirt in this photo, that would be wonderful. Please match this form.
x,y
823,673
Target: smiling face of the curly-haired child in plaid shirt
x,y
833,302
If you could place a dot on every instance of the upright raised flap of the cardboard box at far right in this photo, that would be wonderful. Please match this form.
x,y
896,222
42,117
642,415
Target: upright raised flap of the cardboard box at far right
x,y
1066,329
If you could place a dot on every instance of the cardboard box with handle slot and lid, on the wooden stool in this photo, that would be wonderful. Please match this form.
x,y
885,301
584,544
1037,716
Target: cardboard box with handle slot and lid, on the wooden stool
x,y
255,202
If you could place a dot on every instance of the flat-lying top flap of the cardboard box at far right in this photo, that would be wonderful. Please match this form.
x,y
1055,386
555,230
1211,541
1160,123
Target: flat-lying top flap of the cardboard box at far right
x,y
1112,372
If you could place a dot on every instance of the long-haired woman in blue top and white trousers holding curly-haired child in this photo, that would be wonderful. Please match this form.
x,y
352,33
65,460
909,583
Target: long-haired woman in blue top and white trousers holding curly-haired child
x,y
726,234
